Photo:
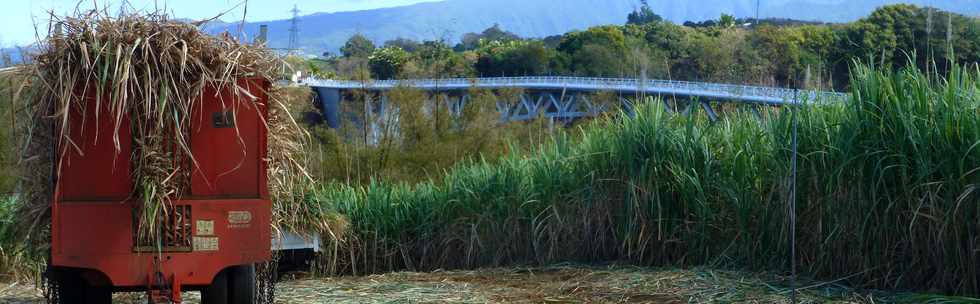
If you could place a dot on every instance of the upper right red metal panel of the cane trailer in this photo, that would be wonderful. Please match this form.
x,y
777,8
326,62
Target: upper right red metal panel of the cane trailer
x,y
228,143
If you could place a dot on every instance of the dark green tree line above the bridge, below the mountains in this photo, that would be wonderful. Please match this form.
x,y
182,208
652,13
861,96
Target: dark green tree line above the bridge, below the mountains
x,y
776,52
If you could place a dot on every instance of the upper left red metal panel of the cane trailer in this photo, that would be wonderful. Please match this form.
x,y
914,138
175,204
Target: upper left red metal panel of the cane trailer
x,y
91,167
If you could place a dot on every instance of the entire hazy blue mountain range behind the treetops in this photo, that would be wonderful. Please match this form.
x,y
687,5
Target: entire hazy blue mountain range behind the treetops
x,y
450,19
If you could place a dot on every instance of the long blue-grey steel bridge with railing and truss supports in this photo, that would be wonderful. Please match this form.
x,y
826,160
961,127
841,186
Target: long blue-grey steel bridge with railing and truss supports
x,y
563,98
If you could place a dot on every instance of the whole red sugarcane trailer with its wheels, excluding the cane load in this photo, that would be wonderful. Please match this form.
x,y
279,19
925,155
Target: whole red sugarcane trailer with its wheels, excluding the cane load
x,y
212,235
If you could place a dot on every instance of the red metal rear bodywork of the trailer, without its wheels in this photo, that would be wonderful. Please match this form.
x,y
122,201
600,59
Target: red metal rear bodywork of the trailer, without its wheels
x,y
93,226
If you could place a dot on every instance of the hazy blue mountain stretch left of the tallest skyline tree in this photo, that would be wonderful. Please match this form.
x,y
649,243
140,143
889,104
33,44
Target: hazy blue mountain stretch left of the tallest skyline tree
x,y
448,19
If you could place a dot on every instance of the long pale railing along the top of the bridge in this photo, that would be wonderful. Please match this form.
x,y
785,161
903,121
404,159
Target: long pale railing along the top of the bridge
x,y
666,87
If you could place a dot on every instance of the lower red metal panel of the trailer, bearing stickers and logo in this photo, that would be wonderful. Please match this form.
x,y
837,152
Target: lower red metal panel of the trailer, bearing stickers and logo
x,y
97,235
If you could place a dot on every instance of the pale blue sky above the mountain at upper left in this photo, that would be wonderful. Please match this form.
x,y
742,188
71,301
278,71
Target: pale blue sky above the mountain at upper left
x,y
18,17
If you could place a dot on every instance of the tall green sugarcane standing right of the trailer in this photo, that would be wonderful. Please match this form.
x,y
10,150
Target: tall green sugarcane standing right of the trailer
x,y
888,193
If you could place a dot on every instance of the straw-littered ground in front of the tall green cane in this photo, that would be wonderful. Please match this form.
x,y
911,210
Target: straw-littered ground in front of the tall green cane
x,y
559,284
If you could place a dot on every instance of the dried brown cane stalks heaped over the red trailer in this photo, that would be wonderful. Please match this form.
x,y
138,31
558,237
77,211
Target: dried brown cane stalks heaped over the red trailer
x,y
152,70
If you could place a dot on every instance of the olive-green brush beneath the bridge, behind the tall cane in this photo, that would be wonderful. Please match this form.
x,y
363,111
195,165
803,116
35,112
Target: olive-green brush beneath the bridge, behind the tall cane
x,y
416,139
